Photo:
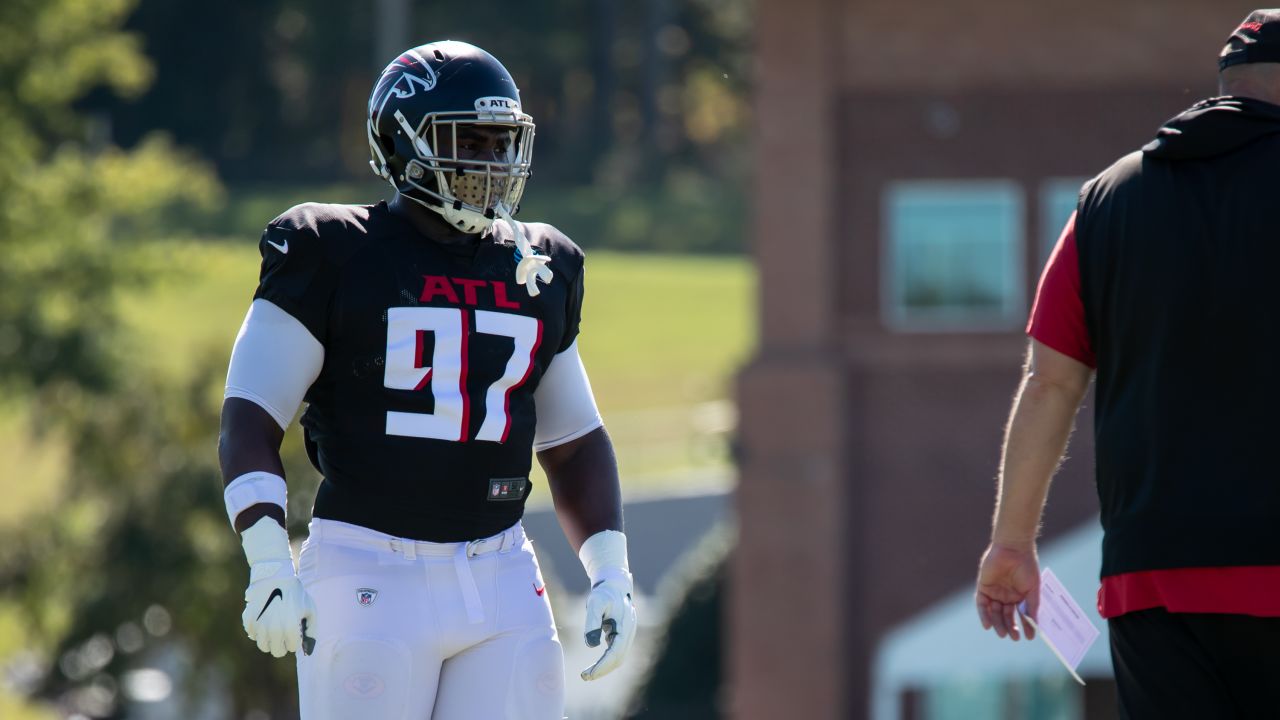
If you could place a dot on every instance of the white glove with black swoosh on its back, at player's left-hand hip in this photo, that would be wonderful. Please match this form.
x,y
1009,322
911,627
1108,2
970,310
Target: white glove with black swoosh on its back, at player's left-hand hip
x,y
276,603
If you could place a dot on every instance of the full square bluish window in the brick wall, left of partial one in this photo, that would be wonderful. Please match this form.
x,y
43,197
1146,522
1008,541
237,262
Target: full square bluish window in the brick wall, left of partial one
x,y
954,257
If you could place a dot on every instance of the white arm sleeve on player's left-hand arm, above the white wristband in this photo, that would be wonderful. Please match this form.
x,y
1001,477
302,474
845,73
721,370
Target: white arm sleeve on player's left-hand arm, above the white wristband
x,y
275,362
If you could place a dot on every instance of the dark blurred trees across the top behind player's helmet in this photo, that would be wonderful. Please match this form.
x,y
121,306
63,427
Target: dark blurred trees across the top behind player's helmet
x,y
641,107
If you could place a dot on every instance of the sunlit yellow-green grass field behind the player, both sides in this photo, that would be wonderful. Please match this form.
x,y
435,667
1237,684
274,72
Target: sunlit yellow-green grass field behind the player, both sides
x,y
662,338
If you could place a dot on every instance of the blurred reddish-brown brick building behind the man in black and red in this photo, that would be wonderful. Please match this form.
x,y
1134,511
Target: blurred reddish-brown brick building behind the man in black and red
x,y
915,163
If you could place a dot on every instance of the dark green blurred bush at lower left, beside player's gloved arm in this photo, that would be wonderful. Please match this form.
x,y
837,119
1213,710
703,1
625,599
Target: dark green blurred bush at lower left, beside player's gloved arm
x,y
140,562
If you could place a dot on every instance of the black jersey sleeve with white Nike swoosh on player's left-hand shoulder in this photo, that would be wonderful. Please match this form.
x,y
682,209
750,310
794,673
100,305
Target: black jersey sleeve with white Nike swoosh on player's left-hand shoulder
x,y
296,275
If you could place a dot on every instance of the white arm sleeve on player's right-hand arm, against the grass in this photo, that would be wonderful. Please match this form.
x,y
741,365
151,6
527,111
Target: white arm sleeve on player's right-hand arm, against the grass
x,y
566,408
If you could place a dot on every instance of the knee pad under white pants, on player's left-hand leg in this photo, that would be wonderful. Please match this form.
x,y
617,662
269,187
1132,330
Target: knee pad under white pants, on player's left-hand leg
x,y
355,678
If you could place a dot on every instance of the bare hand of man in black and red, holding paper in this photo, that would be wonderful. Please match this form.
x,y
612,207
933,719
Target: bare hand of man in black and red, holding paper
x,y
1009,575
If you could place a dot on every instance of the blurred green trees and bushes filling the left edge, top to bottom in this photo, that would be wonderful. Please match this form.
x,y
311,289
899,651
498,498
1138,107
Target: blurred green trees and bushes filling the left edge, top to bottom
x,y
93,578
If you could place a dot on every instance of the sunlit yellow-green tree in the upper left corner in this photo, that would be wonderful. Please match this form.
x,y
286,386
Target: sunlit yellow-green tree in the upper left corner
x,y
71,209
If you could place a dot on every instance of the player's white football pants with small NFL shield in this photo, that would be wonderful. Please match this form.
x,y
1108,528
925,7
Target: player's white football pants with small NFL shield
x,y
422,631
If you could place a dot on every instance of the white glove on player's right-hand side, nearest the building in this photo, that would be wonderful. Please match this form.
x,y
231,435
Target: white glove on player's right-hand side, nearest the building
x,y
611,614
